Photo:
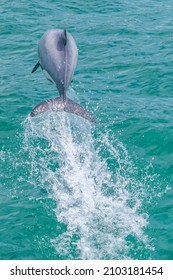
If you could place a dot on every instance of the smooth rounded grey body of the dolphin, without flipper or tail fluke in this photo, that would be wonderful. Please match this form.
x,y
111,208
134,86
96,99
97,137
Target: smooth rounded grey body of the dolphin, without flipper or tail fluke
x,y
58,57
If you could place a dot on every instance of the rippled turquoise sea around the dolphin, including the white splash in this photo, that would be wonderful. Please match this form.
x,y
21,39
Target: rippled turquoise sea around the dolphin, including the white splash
x,y
69,189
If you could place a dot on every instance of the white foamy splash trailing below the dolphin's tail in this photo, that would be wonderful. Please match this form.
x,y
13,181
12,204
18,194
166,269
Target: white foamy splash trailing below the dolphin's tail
x,y
98,199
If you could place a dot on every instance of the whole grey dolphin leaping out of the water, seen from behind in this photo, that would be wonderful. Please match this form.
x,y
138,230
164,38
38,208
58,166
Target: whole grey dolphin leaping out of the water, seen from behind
x,y
58,53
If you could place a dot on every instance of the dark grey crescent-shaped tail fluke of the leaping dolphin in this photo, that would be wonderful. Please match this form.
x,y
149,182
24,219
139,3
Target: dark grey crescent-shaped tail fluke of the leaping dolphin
x,y
58,104
